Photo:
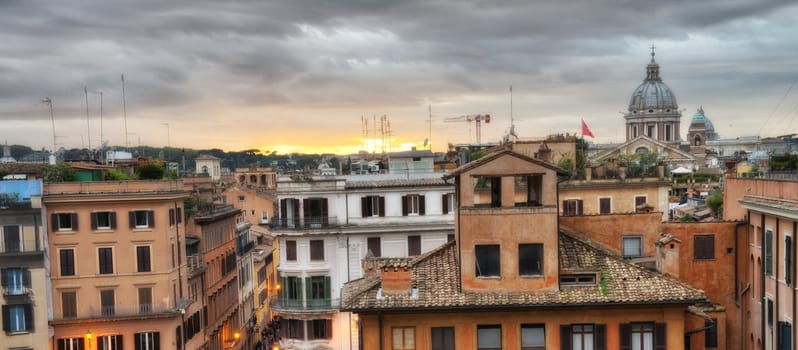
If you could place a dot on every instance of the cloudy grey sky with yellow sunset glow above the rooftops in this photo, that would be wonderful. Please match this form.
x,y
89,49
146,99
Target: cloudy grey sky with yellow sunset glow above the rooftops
x,y
303,75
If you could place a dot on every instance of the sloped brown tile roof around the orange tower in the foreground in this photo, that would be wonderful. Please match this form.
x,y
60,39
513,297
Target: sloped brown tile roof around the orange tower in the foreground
x,y
436,275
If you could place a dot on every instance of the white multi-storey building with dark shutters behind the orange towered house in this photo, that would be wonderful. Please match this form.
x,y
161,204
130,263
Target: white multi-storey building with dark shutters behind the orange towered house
x,y
325,227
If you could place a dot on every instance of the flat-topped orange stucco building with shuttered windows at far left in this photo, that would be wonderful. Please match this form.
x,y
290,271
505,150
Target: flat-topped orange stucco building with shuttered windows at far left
x,y
118,276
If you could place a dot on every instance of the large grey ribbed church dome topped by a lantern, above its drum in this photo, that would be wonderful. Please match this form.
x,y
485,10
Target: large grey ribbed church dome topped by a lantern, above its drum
x,y
653,95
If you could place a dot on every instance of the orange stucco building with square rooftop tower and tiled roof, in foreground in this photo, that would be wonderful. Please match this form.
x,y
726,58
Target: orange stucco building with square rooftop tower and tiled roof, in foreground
x,y
513,279
